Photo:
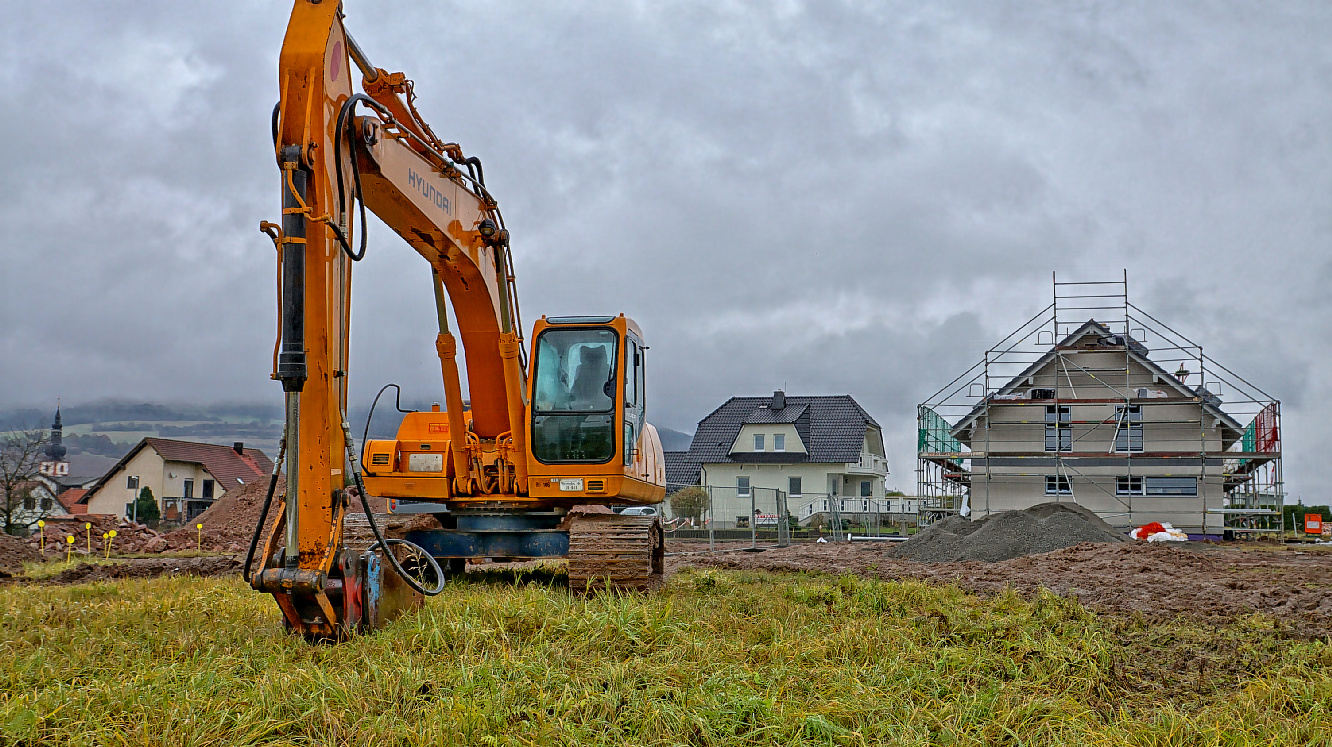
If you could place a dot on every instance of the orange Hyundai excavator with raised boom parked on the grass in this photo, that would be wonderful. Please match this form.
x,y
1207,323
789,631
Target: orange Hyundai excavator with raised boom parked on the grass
x,y
511,476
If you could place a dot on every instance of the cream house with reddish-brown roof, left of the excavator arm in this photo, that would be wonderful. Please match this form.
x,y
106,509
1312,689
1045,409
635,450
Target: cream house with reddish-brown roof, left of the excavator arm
x,y
186,477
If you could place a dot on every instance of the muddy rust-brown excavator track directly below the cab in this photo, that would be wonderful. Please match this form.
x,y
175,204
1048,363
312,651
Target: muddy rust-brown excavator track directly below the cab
x,y
615,552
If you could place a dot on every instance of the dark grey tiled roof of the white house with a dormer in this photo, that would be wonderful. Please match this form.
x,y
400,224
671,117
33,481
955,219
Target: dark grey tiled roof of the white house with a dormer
x,y
832,428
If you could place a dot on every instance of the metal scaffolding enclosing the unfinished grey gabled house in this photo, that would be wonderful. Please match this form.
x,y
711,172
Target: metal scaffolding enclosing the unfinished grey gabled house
x,y
1085,403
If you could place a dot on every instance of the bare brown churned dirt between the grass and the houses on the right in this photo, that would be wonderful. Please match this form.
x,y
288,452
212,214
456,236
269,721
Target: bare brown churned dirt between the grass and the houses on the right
x,y
1207,583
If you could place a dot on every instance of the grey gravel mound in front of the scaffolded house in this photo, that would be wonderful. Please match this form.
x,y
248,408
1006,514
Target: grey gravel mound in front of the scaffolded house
x,y
1009,535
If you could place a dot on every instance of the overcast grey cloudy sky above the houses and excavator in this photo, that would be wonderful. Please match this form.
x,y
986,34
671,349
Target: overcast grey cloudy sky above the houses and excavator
x,y
833,198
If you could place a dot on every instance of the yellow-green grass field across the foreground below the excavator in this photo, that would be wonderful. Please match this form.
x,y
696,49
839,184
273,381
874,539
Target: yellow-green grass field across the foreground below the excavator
x,y
719,658
